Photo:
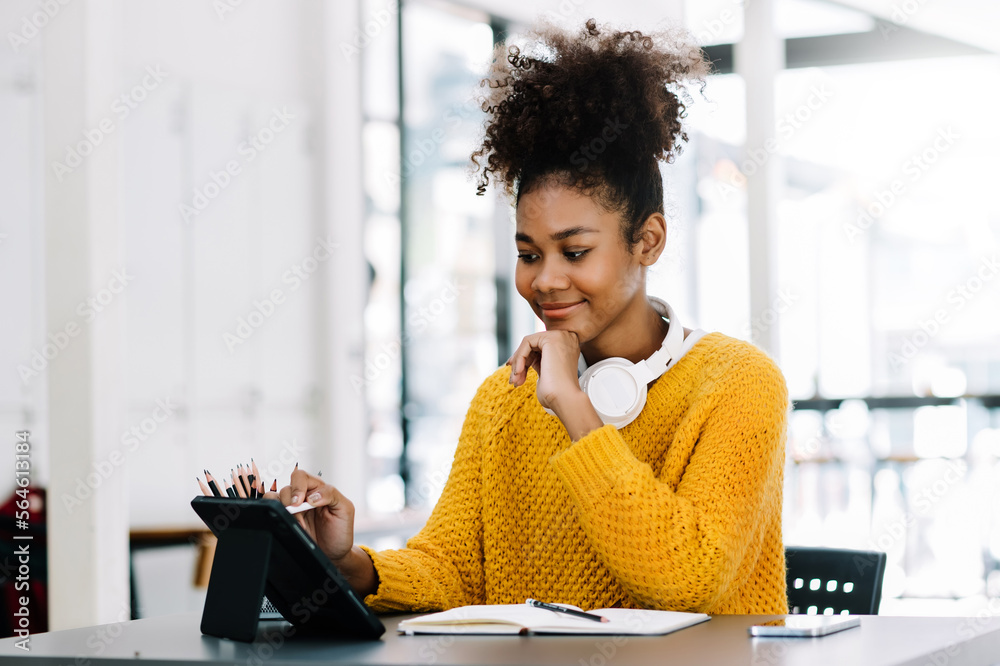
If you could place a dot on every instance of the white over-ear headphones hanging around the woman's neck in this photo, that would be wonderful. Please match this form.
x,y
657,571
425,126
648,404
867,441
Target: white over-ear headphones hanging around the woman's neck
x,y
617,387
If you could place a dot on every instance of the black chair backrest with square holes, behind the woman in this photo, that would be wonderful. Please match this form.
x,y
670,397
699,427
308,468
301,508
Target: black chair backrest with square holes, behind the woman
x,y
832,581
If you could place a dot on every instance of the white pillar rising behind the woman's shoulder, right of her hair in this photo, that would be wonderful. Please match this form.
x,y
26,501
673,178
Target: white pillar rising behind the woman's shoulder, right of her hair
x,y
759,58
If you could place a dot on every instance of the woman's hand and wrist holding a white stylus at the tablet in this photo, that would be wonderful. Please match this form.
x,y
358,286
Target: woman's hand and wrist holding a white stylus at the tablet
x,y
331,526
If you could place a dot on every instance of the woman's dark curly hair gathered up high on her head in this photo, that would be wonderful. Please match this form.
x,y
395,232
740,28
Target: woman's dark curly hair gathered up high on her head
x,y
594,111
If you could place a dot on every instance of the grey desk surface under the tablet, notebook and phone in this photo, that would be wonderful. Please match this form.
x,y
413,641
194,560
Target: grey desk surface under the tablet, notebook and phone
x,y
881,640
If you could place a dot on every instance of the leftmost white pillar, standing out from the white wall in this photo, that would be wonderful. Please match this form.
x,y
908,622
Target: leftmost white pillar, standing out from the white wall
x,y
88,537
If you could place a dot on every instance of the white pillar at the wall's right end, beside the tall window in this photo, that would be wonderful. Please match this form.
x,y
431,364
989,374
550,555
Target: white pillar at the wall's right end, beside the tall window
x,y
343,429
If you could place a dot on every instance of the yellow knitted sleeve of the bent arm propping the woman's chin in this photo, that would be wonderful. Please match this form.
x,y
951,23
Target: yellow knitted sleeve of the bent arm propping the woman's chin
x,y
680,543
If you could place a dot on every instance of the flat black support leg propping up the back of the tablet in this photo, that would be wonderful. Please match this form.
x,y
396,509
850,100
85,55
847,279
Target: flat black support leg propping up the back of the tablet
x,y
236,586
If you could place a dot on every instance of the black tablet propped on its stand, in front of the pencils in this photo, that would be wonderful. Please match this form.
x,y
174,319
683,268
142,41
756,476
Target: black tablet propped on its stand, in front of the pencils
x,y
259,535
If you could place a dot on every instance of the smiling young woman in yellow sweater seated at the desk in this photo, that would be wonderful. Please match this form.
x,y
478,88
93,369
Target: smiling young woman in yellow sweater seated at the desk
x,y
672,504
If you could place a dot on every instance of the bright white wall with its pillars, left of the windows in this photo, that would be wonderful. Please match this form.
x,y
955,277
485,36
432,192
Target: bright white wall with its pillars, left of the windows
x,y
158,391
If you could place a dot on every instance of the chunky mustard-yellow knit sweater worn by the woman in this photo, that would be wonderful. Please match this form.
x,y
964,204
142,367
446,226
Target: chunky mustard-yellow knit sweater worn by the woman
x,y
679,510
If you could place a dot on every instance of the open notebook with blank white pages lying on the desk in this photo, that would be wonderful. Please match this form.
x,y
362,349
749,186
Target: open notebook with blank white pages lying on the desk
x,y
523,619
